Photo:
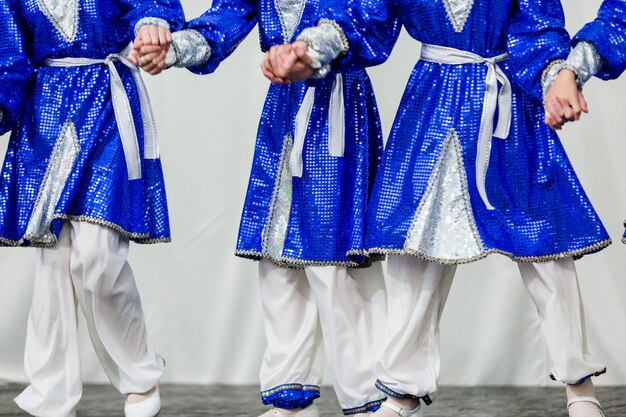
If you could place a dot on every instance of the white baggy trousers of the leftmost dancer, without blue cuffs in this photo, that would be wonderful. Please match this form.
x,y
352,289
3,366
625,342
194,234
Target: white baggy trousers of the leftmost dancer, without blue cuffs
x,y
87,267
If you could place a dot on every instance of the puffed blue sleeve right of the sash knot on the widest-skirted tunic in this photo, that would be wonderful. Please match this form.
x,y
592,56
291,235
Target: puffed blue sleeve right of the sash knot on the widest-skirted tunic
x,y
536,38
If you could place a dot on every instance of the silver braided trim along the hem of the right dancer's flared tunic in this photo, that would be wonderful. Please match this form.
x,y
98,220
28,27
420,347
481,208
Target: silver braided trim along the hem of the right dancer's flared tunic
x,y
546,258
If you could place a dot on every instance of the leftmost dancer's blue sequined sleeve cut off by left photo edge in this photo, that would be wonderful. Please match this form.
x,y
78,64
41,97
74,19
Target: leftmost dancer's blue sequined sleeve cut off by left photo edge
x,y
15,67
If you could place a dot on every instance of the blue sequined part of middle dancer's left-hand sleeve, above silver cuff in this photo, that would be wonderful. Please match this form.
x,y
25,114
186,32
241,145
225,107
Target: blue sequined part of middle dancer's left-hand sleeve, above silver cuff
x,y
224,26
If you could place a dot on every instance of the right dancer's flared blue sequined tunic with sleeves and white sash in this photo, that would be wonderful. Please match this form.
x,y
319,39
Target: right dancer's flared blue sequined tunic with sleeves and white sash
x,y
426,200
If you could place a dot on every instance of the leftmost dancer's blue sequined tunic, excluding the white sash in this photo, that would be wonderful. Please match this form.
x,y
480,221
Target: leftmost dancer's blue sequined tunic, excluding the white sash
x,y
65,158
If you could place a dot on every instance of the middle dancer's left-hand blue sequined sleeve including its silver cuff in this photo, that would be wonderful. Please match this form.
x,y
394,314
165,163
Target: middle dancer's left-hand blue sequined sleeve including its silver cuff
x,y
212,37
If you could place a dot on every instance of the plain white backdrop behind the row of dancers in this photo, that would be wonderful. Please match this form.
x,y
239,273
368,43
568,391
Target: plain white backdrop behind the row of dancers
x,y
201,302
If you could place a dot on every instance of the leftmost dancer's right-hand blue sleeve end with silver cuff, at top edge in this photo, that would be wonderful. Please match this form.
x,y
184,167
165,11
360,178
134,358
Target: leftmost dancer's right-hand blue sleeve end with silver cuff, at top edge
x,y
165,13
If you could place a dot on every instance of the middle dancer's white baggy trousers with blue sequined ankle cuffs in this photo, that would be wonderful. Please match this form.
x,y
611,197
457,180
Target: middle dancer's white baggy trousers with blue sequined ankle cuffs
x,y
340,309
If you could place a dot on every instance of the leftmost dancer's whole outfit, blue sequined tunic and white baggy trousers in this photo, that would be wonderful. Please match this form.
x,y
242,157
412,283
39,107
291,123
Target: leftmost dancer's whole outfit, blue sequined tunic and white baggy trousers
x,y
81,178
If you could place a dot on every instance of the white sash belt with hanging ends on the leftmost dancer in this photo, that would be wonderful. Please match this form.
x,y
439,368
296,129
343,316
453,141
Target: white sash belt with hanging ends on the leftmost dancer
x,y
122,109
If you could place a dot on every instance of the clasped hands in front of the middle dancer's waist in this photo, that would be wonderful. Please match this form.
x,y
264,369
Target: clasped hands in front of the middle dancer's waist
x,y
284,64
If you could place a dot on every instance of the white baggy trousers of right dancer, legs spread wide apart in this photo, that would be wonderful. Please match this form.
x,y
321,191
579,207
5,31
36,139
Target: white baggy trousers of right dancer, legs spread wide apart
x,y
417,292
